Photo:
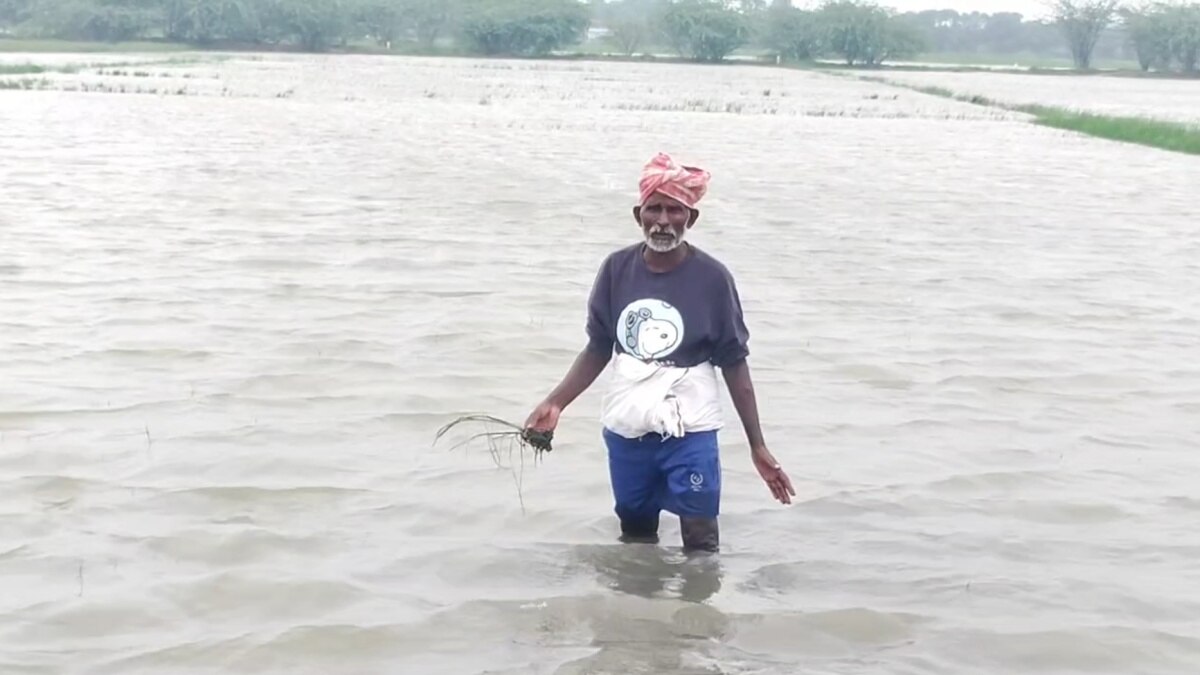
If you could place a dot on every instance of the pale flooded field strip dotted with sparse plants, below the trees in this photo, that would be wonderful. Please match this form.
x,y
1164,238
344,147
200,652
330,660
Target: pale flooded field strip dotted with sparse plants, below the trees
x,y
511,86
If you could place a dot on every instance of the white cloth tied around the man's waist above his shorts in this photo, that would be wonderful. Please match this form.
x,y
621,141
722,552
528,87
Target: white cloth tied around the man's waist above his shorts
x,y
649,398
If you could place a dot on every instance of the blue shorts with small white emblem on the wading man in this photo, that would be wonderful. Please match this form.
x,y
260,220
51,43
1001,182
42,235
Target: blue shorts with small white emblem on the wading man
x,y
681,476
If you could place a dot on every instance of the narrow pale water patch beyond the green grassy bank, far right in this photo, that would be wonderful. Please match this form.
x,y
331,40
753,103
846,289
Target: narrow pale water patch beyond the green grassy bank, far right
x,y
1172,100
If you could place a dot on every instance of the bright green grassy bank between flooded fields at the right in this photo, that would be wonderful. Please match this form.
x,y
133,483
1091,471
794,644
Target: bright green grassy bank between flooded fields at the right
x,y
1177,138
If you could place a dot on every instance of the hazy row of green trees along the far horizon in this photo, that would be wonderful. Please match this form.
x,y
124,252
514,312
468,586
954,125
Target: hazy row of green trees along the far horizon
x,y
1162,35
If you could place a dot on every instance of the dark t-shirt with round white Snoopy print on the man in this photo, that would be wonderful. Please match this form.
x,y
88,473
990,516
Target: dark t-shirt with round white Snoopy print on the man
x,y
683,318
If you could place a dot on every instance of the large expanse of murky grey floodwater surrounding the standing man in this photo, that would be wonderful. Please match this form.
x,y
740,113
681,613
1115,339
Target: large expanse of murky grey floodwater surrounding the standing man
x,y
232,321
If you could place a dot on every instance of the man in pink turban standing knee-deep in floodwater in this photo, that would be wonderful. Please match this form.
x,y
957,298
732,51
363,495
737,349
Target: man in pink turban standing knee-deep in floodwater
x,y
673,315
